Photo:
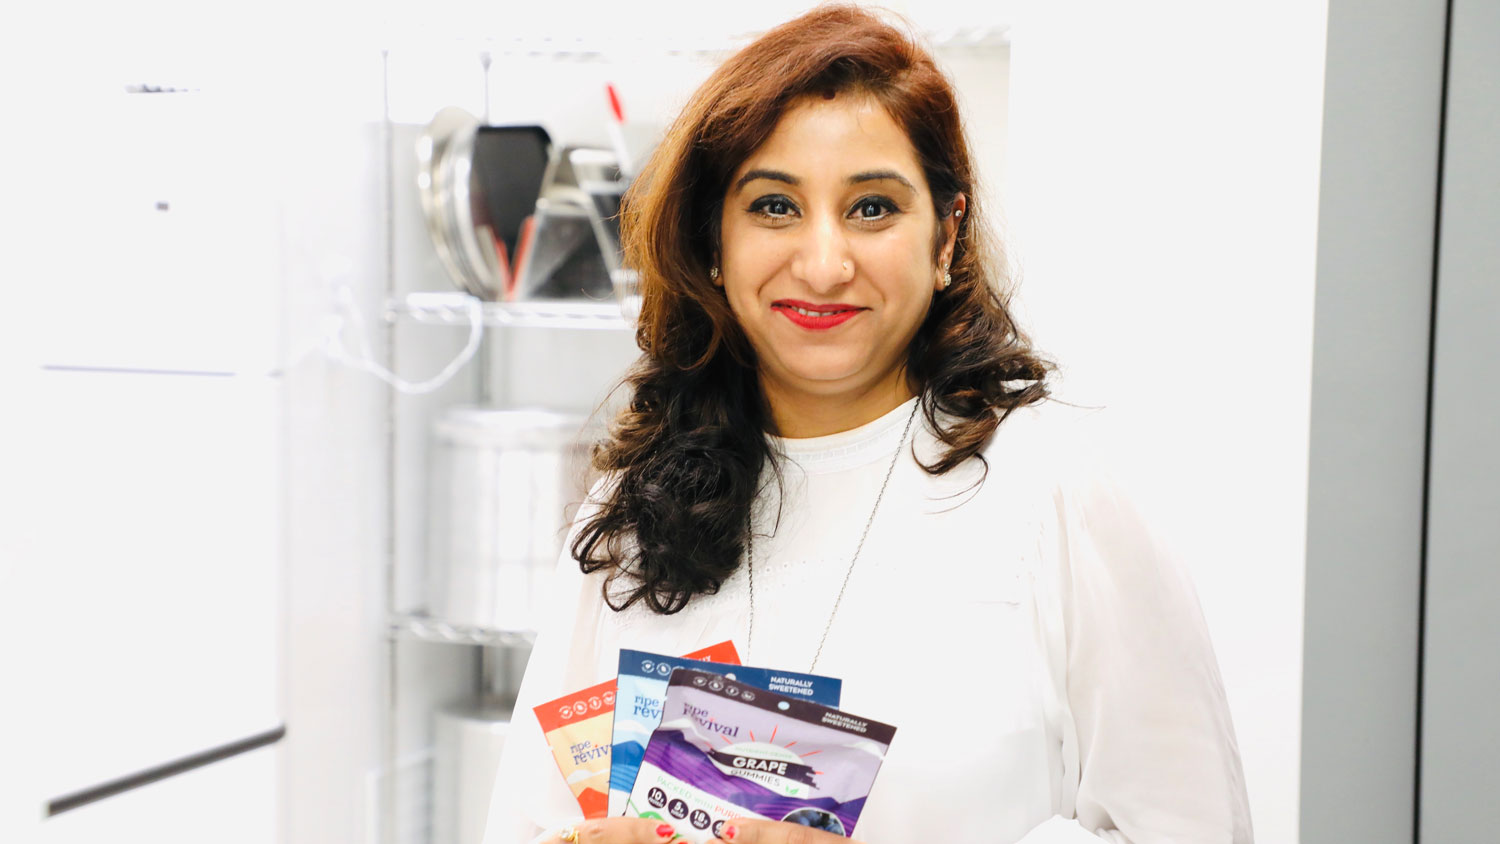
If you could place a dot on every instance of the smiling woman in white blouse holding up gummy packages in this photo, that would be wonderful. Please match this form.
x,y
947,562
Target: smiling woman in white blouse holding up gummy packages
x,y
841,455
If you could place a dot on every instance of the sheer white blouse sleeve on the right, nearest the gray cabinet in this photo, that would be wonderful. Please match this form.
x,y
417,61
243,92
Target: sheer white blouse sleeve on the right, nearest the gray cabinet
x,y
1150,750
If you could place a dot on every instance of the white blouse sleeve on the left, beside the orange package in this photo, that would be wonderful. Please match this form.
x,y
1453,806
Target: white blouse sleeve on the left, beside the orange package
x,y
530,798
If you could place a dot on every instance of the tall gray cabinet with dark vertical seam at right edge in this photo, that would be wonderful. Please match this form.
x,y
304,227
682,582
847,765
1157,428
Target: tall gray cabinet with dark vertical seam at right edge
x,y
1402,671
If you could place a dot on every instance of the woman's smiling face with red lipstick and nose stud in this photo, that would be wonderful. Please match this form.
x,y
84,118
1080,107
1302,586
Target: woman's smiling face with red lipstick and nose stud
x,y
827,251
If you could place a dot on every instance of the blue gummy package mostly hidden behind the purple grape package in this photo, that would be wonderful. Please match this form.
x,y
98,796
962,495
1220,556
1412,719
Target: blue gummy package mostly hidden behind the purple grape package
x,y
643,687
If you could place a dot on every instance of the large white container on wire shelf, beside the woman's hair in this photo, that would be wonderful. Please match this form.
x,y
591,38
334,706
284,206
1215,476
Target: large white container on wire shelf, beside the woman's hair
x,y
503,486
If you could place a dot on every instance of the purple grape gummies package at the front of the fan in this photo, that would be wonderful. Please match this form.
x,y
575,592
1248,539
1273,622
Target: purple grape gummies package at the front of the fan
x,y
727,750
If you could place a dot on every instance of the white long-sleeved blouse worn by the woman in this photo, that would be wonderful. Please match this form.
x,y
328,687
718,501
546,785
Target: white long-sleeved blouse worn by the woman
x,y
1046,665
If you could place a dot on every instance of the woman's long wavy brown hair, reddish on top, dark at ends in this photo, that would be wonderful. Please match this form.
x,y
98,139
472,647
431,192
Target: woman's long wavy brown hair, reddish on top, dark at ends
x,y
685,459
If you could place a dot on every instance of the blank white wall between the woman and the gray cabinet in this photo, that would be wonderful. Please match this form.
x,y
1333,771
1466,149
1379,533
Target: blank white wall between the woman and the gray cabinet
x,y
1163,200
